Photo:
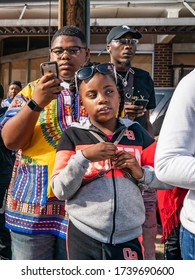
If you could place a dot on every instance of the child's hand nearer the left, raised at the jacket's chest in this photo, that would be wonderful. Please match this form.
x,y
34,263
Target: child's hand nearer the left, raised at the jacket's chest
x,y
100,151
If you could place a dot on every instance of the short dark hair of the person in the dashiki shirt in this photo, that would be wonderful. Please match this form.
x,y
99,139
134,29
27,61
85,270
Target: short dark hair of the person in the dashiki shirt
x,y
69,30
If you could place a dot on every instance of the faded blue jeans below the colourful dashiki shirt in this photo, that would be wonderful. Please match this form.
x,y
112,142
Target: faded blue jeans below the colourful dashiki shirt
x,y
37,247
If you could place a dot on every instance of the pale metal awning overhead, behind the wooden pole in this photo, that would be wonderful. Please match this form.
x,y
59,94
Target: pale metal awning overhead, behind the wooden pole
x,y
148,16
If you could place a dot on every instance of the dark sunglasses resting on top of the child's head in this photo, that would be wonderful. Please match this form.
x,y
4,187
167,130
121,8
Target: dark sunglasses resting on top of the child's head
x,y
87,72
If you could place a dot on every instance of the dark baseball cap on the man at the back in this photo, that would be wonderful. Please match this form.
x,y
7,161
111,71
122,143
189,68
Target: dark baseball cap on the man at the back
x,y
118,31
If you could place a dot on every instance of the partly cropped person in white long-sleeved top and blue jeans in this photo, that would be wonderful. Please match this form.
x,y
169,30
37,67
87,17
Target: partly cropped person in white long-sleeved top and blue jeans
x,y
175,156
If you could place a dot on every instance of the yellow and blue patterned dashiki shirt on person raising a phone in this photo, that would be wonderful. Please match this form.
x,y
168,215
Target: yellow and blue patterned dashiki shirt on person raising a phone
x,y
31,204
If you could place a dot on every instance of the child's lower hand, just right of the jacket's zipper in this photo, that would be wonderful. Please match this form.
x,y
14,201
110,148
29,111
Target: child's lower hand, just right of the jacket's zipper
x,y
128,163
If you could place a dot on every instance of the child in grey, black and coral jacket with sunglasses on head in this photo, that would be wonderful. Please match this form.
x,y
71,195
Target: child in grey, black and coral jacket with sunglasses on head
x,y
100,166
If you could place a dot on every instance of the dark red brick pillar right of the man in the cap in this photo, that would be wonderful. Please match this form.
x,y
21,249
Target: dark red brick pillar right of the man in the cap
x,y
162,61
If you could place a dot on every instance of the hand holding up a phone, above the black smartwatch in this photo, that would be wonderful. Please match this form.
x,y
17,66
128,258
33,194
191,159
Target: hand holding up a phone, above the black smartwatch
x,y
46,89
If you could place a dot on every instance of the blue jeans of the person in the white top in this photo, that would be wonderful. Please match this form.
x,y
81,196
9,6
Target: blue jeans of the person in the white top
x,y
187,244
